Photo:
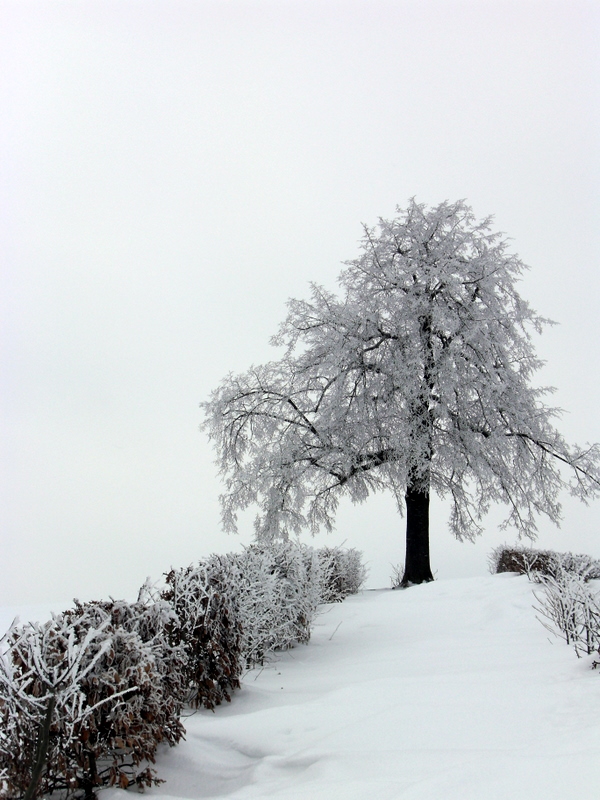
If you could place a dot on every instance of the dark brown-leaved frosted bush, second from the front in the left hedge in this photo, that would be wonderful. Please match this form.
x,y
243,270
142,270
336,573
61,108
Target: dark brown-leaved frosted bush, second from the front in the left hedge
x,y
208,629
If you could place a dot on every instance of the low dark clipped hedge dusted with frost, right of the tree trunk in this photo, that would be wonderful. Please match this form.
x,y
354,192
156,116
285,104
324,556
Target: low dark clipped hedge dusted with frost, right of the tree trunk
x,y
531,562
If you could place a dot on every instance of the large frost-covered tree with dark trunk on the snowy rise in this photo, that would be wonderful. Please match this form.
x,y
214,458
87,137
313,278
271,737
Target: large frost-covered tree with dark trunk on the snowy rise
x,y
416,377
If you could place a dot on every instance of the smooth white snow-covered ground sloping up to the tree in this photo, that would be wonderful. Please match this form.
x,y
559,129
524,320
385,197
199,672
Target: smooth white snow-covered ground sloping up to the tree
x,y
448,690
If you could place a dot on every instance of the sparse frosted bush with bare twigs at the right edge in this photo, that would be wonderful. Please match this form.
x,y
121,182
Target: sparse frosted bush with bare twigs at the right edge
x,y
570,604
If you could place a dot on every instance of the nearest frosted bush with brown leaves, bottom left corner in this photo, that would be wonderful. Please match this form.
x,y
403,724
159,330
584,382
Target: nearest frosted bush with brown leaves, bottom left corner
x,y
83,704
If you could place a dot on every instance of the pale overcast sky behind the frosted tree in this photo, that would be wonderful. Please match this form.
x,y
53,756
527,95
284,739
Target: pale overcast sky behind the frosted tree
x,y
172,172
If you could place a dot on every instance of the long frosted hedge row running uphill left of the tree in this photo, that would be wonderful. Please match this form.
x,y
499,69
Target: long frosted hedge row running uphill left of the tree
x,y
87,697
